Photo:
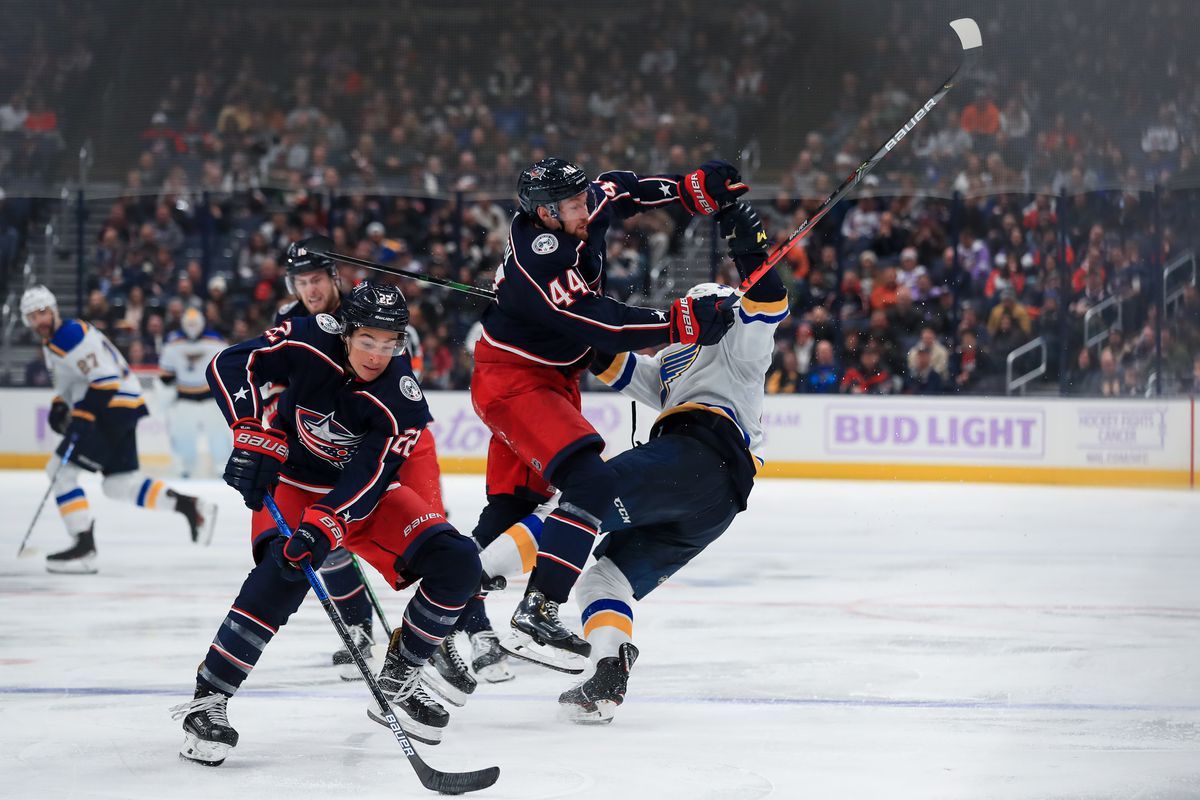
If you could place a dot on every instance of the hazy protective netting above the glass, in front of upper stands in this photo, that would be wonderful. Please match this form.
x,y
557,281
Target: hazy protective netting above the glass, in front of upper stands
x,y
418,97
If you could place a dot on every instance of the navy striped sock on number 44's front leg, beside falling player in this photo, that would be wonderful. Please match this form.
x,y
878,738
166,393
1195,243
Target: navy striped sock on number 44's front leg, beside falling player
x,y
589,486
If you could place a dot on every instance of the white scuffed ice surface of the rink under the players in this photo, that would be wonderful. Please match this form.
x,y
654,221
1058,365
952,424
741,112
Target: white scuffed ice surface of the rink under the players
x,y
841,641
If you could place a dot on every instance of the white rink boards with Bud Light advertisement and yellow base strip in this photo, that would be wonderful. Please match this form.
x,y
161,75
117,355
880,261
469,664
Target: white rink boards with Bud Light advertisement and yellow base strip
x,y
1011,441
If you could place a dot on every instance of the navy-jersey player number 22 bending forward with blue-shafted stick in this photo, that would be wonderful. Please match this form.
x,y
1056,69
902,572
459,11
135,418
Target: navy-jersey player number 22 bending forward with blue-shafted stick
x,y
351,414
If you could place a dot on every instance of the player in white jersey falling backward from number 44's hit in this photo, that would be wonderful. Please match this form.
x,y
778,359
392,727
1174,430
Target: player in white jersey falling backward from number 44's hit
x,y
681,490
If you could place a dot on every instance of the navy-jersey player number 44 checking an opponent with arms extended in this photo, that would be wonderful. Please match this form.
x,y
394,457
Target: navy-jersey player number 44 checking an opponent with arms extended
x,y
538,336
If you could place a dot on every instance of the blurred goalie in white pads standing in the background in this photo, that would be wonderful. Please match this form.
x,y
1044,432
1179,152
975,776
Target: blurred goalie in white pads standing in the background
x,y
185,358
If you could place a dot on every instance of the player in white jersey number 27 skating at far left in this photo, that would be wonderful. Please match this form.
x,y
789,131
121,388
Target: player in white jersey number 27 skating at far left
x,y
98,406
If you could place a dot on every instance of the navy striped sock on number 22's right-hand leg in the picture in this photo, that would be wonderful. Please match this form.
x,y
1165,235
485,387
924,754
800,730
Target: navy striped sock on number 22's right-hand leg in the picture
x,y
449,569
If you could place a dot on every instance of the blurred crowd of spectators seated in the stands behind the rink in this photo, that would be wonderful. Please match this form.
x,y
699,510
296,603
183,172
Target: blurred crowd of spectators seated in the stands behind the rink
x,y
267,129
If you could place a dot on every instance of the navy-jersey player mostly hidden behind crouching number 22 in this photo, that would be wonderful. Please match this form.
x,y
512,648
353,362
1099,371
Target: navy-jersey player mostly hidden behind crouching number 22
x,y
314,281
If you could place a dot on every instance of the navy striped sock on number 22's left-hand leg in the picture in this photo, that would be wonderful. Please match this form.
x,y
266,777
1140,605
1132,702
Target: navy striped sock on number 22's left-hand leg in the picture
x,y
263,606
